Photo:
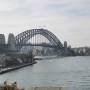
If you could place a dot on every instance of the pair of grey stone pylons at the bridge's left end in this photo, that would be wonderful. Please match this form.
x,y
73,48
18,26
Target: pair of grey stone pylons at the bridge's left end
x,y
9,46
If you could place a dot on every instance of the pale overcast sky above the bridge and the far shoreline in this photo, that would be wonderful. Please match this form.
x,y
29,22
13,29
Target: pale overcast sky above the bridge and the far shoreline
x,y
69,20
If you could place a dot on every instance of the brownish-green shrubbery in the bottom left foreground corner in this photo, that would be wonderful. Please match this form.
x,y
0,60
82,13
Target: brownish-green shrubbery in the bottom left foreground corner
x,y
12,86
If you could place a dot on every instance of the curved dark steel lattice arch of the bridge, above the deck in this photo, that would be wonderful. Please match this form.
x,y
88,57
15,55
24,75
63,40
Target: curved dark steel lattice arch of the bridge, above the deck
x,y
23,37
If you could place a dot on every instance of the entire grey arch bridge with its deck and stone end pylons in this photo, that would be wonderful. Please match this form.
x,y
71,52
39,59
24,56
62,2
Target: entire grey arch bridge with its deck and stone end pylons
x,y
33,38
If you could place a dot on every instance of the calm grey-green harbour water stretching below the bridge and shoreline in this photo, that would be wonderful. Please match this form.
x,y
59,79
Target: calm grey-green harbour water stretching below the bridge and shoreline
x,y
72,73
